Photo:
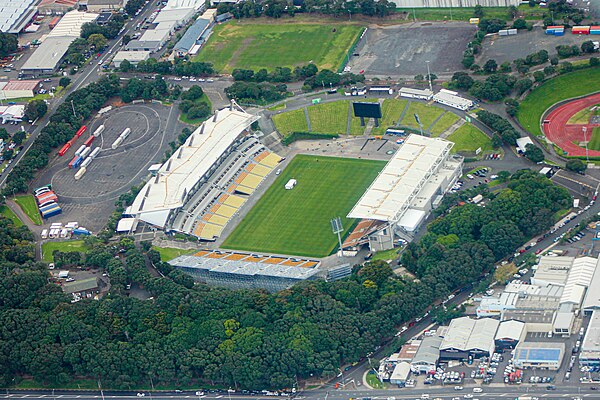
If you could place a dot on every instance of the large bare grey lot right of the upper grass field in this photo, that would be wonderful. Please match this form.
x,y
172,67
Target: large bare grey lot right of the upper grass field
x,y
403,50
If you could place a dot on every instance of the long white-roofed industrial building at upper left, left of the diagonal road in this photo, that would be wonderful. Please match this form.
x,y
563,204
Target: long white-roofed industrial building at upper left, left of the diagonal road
x,y
46,58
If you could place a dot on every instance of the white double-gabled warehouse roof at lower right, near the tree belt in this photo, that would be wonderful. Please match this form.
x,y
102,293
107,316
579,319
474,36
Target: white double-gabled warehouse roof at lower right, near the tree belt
x,y
470,334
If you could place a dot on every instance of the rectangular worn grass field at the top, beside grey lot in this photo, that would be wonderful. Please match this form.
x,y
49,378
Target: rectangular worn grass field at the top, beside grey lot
x,y
259,45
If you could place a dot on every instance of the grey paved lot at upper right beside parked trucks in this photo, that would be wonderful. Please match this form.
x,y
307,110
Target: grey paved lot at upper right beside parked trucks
x,y
510,48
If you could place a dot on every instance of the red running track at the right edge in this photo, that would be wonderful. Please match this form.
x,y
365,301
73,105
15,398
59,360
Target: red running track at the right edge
x,y
567,136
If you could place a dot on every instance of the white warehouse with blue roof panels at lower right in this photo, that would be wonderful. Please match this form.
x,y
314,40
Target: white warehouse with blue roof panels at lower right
x,y
546,355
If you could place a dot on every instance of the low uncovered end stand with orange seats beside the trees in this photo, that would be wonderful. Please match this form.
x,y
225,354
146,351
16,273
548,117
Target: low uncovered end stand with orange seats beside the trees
x,y
249,271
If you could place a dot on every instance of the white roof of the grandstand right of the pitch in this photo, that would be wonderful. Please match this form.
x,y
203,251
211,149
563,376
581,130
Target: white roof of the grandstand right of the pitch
x,y
392,192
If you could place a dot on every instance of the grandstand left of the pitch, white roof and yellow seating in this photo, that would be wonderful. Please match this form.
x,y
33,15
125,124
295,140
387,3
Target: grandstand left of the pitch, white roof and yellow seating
x,y
208,179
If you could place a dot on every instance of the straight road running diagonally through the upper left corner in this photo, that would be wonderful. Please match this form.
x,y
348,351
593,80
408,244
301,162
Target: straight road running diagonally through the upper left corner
x,y
88,74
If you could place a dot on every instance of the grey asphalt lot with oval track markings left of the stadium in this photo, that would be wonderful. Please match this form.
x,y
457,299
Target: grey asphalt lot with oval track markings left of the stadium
x,y
90,200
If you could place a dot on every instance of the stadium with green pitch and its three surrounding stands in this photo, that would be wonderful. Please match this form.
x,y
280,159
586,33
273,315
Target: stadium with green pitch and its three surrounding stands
x,y
283,235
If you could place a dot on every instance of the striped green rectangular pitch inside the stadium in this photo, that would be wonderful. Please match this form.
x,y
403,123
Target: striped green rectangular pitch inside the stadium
x,y
297,221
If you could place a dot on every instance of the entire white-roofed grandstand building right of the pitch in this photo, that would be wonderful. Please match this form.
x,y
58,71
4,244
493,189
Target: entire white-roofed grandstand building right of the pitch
x,y
410,186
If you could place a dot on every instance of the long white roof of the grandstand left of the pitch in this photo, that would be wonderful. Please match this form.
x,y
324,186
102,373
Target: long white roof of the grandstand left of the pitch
x,y
188,164
